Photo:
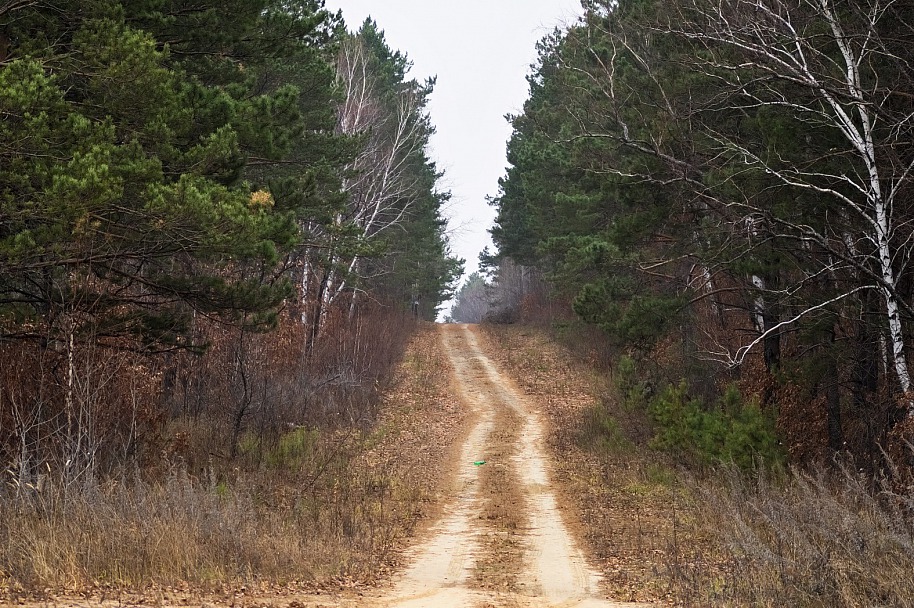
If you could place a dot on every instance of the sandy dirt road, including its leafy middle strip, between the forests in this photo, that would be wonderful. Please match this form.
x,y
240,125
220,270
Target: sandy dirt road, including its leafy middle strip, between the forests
x,y
454,566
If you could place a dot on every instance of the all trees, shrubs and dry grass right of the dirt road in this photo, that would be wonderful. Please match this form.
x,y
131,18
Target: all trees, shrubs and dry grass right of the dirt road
x,y
710,204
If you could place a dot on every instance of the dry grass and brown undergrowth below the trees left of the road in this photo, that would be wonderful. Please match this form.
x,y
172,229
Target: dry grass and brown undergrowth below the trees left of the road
x,y
255,465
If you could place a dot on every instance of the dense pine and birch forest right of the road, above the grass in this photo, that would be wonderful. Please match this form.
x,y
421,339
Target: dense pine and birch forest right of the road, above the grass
x,y
723,190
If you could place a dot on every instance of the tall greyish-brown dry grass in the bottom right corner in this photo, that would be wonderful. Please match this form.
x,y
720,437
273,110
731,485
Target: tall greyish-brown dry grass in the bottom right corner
x,y
831,538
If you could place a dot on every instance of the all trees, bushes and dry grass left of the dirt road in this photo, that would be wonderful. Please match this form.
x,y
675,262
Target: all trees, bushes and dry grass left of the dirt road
x,y
219,229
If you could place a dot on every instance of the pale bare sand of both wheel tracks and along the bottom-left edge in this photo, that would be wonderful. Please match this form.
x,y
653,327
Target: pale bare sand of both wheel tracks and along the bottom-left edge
x,y
443,571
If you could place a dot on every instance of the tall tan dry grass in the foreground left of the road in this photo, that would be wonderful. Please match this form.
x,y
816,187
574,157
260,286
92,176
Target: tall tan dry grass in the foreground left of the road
x,y
131,533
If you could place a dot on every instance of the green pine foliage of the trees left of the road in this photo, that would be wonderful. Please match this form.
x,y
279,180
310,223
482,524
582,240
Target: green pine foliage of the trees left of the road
x,y
164,156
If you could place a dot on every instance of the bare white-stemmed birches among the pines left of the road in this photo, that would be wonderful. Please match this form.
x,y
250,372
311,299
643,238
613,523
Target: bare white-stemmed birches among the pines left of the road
x,y
390,176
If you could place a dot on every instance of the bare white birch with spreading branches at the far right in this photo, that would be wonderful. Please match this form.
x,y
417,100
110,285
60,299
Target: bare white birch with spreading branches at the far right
x,y
833,68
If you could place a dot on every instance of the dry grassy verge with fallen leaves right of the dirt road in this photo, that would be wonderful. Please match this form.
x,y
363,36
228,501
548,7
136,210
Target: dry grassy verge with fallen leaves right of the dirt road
x,y
727,538
